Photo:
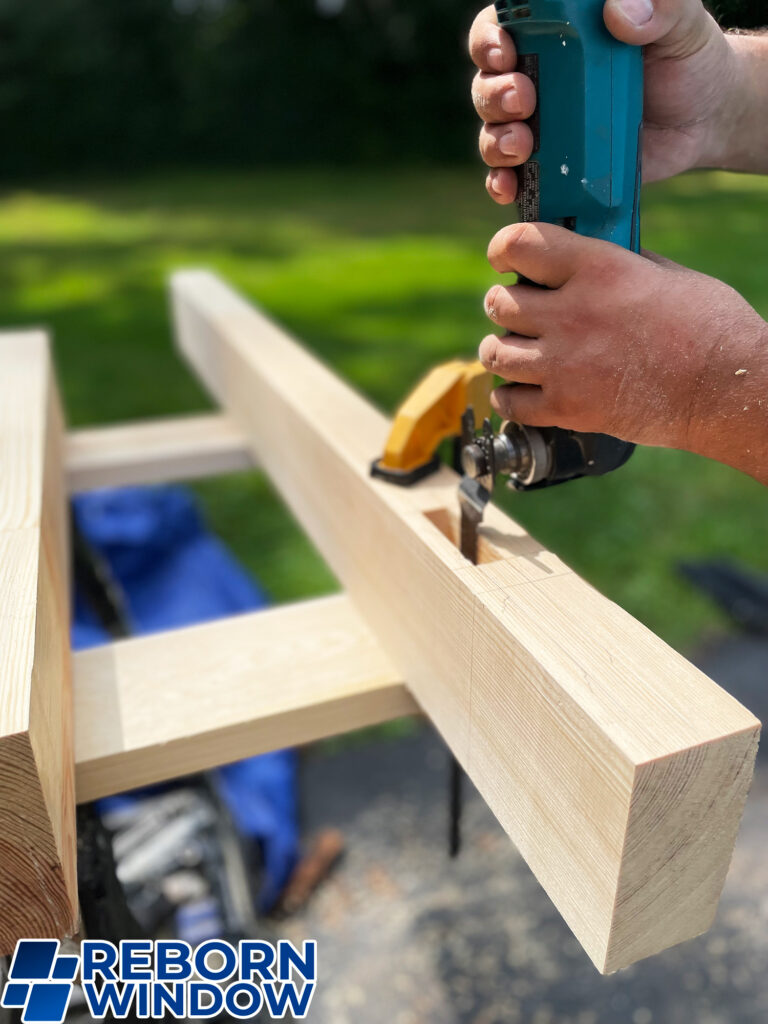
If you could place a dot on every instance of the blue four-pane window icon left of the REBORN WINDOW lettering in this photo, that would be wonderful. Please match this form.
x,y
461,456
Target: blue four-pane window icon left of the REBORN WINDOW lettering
x,y
40,983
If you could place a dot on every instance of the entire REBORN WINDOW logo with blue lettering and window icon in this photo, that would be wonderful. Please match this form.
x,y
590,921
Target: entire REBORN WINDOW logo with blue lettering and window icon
x,y
145,978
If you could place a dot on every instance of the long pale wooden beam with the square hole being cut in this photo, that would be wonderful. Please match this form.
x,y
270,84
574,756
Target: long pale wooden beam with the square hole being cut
x,y
619,770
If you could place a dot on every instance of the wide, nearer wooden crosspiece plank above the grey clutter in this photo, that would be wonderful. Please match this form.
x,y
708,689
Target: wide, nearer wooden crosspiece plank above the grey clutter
x,y
161,707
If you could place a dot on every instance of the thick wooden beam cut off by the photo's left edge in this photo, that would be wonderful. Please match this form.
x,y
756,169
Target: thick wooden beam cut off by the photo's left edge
x,y
38,862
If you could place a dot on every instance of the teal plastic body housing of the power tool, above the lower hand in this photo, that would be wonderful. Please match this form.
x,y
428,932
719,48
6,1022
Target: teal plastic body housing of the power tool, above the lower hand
x,y
585,170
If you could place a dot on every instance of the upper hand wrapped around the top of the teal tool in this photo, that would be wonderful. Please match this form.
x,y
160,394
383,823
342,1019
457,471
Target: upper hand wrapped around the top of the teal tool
x,y
694,91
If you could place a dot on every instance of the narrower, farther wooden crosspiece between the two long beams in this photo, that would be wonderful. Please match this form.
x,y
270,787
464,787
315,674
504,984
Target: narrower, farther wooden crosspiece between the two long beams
x,y
155,452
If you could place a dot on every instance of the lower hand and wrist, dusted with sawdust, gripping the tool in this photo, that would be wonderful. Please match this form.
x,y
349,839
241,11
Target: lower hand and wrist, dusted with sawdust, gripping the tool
x,y
633,347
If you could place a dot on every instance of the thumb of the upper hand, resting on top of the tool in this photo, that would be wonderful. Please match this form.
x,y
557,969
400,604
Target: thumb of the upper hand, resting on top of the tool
x,y
678,27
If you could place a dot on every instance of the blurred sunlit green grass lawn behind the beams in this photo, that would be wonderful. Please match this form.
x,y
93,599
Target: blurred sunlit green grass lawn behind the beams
x,y
382,275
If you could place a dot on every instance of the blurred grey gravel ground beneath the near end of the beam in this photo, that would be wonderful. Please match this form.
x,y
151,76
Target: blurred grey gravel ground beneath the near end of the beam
x,y
409,937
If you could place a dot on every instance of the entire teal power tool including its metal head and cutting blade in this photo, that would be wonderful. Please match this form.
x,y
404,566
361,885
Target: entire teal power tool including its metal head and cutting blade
x,y
585,176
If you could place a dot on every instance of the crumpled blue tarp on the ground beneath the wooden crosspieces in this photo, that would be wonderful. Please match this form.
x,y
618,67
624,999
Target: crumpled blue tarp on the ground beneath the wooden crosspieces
x,y
175,573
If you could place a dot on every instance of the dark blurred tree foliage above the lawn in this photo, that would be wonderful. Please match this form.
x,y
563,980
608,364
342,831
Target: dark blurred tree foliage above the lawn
x,y
105,84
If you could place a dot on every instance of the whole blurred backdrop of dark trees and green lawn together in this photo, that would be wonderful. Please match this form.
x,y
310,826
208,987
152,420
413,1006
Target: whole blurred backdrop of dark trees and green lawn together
x,y
323,163
